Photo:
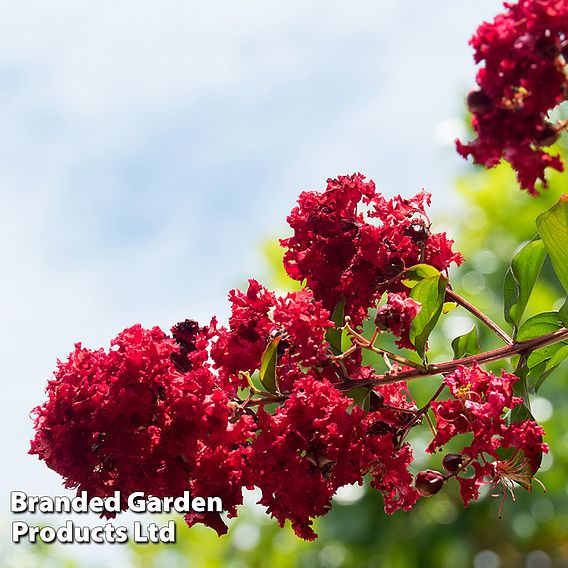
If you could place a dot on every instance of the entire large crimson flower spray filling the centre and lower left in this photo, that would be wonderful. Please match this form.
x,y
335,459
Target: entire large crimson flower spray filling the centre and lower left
x,y
163,415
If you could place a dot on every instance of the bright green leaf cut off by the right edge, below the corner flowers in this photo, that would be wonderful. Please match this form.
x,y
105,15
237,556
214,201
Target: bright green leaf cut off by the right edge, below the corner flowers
x,y
553,228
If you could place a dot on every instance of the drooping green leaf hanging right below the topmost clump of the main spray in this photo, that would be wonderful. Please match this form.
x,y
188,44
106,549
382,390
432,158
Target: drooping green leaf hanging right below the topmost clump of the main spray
x,y
430,292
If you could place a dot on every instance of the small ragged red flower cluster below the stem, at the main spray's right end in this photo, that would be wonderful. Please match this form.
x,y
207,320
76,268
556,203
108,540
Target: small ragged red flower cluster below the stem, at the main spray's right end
x,y
480,402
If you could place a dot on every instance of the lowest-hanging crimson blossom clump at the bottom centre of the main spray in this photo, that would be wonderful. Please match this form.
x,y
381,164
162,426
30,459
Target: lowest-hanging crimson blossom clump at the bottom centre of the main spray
x,y
308,449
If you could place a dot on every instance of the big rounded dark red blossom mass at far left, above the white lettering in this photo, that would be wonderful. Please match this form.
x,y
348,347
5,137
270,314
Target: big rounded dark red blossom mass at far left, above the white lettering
x,y
127,420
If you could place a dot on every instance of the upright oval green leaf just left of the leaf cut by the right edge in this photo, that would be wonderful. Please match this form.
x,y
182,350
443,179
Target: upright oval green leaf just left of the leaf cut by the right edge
x,y
520,279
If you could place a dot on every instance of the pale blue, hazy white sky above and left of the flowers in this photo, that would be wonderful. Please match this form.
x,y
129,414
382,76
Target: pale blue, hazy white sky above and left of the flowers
x,y
147,150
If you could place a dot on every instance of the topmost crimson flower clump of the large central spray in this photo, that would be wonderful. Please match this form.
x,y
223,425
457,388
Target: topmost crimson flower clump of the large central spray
x,y
352,244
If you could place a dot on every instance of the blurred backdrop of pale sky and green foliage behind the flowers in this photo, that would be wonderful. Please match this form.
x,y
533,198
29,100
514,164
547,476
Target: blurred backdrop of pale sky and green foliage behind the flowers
x,y
149,154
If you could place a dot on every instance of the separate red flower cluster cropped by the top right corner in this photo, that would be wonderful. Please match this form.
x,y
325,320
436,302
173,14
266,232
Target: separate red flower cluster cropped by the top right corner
x,y
525,50
